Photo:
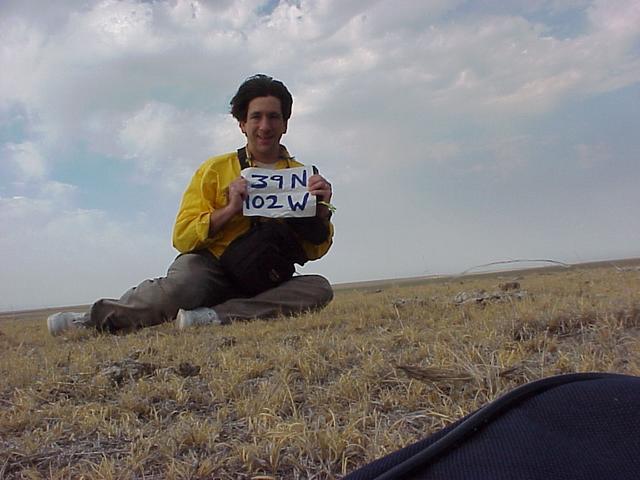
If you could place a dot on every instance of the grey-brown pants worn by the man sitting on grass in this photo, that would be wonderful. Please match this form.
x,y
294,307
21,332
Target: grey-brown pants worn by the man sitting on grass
x,y
197,280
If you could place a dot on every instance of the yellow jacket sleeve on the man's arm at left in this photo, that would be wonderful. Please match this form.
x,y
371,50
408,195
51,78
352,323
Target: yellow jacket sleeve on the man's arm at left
x,y
191,230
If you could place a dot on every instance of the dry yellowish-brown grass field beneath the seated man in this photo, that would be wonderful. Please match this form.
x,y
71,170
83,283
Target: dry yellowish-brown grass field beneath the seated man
x,y
311,397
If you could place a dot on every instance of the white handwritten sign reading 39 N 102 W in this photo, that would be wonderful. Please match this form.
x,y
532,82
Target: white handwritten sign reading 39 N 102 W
x,y
279,193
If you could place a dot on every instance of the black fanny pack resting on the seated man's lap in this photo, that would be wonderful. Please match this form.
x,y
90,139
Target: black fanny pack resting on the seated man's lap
x,y
263,257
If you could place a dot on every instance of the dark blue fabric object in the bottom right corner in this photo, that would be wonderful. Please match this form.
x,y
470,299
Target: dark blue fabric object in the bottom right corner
x,y
577,426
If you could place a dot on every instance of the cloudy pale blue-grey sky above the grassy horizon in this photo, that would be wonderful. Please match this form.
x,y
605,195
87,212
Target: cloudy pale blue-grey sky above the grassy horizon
x,y
456,133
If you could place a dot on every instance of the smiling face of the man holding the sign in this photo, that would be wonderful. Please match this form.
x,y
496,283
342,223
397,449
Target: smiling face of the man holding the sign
x,y
264,127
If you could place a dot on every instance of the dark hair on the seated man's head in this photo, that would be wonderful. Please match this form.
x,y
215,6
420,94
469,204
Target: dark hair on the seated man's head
x,y
260,85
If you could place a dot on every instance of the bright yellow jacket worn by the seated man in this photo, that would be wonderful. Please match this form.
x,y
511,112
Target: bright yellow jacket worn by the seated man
x,y
207,192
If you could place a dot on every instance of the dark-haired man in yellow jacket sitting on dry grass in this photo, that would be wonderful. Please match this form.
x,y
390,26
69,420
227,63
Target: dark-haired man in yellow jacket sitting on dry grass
x,y
200,287
